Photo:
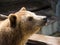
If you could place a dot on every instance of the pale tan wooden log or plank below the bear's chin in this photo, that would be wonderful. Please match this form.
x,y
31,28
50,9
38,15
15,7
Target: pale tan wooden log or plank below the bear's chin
x,y
46,39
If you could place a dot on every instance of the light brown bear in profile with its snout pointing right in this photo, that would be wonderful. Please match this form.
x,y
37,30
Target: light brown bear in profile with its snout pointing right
x,y
18,27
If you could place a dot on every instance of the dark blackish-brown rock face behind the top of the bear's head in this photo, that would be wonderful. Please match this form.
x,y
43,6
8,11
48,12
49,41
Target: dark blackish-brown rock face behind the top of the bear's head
x,y
9,6
